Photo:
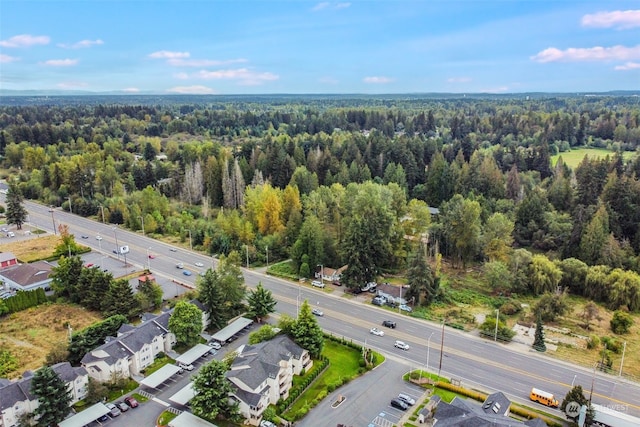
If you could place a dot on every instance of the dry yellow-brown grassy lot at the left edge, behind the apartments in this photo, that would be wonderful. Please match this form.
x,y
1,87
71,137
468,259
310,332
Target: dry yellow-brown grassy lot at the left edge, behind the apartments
x,y
30,334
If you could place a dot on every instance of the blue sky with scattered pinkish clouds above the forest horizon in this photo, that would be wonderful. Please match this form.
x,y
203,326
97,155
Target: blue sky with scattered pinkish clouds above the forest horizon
x,y
300,47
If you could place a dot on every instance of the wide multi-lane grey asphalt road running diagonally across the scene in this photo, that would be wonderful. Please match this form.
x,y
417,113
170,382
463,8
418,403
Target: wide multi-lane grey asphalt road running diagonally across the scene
x,y
476,362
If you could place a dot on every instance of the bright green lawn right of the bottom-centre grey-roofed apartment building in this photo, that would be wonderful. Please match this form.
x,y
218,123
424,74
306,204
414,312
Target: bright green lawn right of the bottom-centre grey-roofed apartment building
x,y
344,364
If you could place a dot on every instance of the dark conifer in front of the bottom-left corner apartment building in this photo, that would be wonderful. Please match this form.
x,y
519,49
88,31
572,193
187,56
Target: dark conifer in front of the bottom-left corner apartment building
x,y
53,397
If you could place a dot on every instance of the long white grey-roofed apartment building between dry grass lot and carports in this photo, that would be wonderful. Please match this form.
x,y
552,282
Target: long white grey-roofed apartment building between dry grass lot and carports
x,y
132,350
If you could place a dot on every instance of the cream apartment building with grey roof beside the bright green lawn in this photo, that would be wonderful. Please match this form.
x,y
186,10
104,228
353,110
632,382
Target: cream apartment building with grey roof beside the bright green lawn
x,y
263,373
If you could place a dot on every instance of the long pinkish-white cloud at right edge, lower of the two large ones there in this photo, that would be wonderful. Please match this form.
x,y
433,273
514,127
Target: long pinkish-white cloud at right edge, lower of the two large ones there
x,y
597,53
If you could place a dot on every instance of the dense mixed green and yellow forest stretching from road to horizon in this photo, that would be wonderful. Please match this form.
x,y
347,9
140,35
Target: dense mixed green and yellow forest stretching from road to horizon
x,y
349,181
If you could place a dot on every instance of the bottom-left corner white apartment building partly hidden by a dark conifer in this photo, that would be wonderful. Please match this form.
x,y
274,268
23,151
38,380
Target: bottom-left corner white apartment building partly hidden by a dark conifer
x,y
16,398
